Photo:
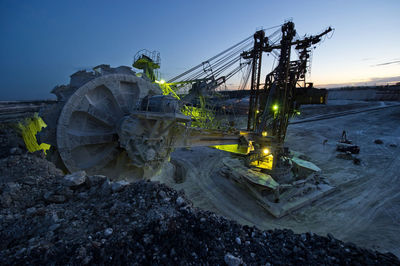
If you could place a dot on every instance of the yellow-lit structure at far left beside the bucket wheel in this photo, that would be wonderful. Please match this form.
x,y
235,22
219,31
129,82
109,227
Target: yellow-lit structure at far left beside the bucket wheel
x,y
29,128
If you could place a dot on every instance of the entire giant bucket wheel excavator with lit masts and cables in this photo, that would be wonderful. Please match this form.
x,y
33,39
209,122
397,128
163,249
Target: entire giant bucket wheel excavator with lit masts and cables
x,y
123,124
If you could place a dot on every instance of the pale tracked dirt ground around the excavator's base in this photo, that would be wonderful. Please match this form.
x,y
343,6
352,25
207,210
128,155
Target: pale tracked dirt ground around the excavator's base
x,y
365,207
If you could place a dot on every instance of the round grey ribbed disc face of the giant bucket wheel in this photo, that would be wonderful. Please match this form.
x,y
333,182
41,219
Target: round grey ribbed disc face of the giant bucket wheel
x,y
92,129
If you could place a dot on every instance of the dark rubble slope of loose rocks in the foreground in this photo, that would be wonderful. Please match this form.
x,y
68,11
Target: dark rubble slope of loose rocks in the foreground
x,y
49,218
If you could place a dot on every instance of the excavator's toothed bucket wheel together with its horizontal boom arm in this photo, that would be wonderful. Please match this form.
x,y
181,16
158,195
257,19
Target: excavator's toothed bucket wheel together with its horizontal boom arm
x,y
114,123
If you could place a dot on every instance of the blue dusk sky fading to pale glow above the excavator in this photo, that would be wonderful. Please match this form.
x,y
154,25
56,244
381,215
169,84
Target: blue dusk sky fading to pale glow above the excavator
x,y
44,42
